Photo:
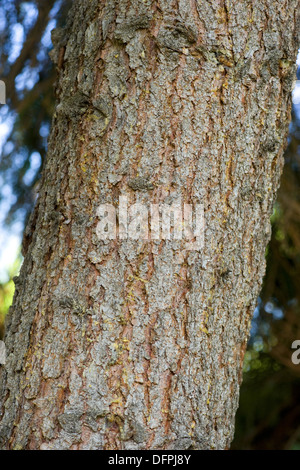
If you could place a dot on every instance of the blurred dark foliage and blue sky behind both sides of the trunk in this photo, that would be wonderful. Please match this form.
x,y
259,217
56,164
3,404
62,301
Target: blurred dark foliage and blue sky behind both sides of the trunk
x,y
269,411
